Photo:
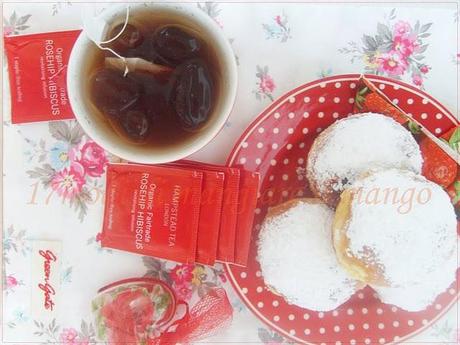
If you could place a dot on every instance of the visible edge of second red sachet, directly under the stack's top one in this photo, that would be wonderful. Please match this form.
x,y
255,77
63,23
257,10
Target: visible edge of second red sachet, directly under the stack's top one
x,y
210,214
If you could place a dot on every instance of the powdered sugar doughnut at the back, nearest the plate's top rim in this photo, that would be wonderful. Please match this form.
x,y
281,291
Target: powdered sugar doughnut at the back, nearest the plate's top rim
x,y
354,146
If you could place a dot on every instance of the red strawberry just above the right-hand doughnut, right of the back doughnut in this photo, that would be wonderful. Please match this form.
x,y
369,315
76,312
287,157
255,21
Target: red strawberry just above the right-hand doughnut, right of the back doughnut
x,y
437,165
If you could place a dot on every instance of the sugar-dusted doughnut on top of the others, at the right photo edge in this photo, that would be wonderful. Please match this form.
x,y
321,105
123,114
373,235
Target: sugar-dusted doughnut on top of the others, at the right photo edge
x,y
395,228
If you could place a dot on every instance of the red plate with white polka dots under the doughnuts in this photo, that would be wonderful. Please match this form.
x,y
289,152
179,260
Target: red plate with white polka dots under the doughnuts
x,y
276,145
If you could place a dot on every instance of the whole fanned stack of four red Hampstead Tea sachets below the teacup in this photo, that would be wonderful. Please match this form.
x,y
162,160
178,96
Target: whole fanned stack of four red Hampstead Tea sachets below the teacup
x,y
184,211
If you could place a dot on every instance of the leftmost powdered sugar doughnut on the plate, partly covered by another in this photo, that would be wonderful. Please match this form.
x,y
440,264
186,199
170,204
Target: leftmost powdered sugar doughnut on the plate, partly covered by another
x,y
297,258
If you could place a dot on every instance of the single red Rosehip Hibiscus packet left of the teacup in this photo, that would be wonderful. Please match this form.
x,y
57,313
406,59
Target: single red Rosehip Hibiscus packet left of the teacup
x,y
37,68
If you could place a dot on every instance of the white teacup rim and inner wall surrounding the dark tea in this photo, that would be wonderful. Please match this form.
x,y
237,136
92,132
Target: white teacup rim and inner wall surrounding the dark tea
x,y
100,130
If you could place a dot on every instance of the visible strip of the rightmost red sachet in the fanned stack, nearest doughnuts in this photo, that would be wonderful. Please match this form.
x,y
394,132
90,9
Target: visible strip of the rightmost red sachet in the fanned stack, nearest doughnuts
x,y
247,201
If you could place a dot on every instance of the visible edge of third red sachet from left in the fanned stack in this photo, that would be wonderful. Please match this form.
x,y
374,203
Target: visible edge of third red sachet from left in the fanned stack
x,y
227,229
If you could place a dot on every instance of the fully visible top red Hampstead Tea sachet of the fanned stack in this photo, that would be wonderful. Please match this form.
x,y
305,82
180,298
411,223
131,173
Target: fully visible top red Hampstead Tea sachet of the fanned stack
x,y
152,210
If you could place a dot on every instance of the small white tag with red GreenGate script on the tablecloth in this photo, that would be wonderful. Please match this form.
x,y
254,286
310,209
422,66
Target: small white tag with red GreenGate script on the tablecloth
x,y
45,279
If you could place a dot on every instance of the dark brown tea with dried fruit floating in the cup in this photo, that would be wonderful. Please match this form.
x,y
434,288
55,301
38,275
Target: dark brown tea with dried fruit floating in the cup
x,y
158,109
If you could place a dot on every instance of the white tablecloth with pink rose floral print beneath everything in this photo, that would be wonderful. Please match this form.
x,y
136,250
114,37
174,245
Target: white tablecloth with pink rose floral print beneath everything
x,y
278,47
